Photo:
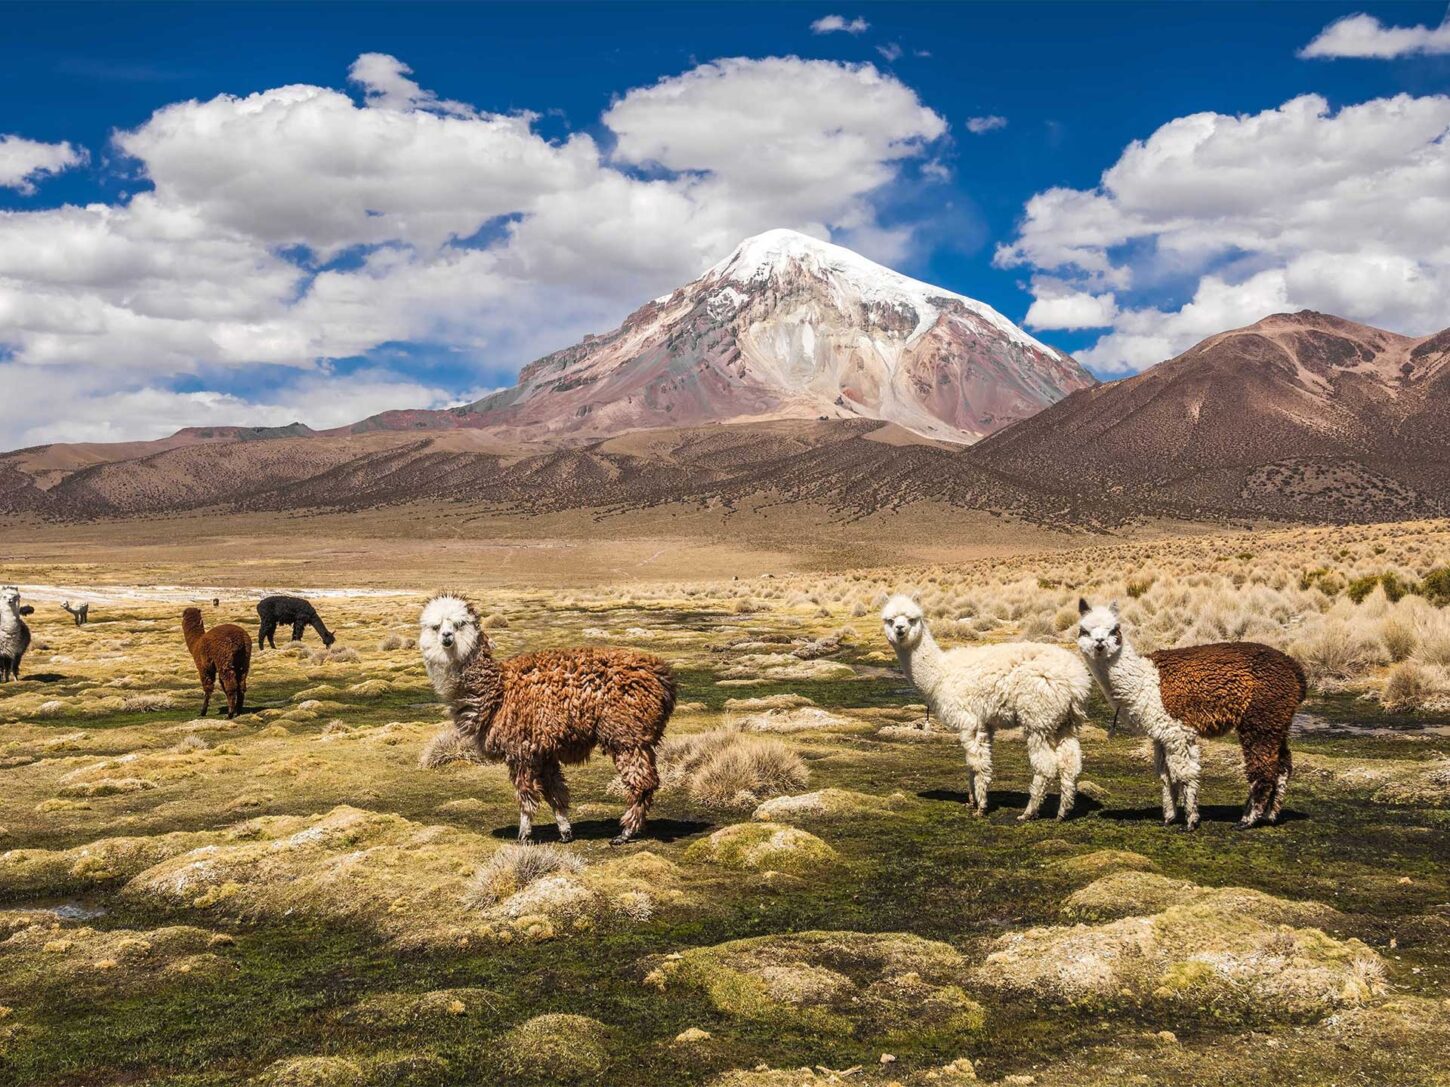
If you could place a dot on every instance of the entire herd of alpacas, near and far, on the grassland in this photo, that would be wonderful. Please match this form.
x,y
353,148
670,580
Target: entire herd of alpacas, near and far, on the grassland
x,y
543,711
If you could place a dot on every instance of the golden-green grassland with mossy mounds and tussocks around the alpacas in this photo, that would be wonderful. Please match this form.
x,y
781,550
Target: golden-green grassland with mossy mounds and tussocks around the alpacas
x,y
326,892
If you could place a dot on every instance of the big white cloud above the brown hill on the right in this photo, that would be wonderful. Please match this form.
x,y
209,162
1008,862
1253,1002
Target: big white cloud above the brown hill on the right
x,y
1217,221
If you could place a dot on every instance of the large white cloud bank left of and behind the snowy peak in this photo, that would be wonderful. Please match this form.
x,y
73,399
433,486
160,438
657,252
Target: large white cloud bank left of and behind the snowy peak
x,y
301,224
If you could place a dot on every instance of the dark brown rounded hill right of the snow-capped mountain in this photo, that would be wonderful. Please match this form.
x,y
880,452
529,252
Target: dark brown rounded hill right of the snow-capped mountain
x,y
1301,415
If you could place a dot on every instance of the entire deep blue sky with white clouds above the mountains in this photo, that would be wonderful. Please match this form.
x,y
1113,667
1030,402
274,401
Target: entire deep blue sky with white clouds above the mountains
x,y
1191,240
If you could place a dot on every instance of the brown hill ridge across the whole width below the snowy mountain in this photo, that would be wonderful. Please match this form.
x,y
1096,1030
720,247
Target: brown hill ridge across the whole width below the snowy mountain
x,y
1300,418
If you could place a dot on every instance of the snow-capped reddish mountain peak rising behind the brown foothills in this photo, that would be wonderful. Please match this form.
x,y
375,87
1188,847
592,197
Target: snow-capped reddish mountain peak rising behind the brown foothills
x,y
785,327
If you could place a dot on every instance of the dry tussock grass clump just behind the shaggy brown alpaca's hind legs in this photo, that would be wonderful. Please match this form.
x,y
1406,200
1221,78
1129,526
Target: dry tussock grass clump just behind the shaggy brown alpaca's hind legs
x,y
730,770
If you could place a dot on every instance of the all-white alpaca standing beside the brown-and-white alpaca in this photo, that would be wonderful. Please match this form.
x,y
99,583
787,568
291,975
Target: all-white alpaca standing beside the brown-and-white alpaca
x,y
974,691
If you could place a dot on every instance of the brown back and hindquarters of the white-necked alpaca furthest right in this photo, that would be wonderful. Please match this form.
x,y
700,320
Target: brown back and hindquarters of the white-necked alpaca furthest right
x,y
1246,686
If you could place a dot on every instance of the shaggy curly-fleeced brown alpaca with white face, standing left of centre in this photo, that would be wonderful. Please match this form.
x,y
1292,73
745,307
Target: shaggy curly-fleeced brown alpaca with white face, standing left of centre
x,y
546,709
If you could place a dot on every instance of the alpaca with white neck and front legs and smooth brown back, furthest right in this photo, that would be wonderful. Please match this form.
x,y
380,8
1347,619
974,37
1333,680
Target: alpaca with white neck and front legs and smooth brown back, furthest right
x,y
1180,696
